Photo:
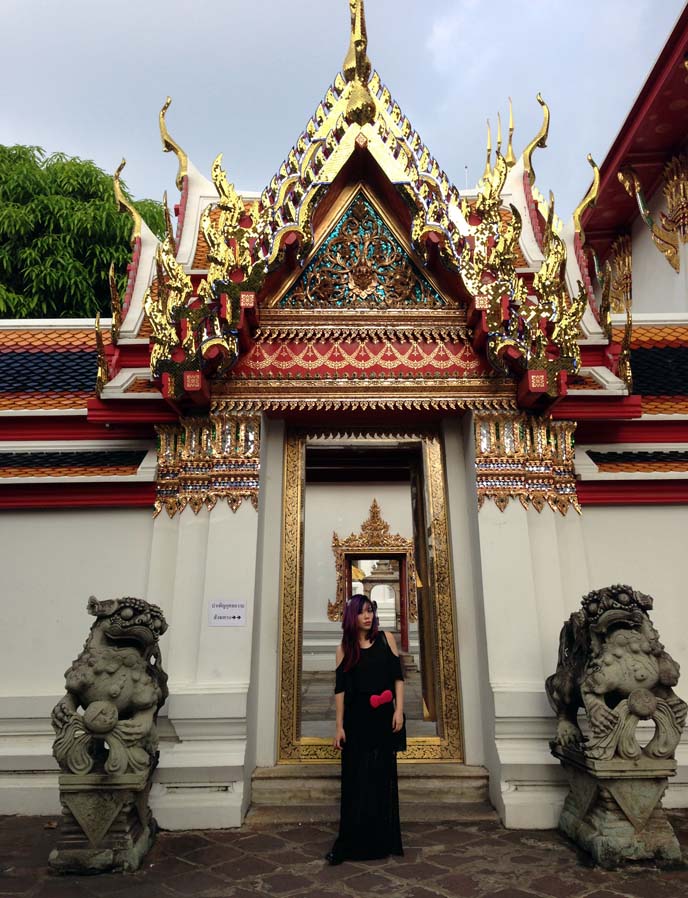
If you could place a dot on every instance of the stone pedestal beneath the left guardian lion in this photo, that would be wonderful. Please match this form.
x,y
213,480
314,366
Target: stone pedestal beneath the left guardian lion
x,y
106,823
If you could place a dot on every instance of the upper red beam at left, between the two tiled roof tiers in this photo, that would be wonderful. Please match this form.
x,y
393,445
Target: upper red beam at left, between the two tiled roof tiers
x,y
70,428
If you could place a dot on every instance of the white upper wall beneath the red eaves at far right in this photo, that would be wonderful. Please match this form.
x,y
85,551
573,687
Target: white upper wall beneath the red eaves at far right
x,y
657,287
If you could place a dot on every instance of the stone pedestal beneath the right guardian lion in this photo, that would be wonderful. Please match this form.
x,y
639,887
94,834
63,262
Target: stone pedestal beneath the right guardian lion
x,y
614,811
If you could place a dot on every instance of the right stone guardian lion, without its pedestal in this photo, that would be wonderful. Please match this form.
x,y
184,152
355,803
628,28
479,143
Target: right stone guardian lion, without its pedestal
x,y
612,664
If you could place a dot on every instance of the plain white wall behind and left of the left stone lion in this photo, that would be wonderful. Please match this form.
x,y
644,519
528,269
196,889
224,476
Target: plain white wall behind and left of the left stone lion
x,y
52,561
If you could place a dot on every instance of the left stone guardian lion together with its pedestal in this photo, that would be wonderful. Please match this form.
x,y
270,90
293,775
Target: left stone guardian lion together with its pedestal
x,y
108,752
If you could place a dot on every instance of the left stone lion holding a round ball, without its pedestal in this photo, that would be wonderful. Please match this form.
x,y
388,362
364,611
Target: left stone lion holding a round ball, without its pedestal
x,y
119,683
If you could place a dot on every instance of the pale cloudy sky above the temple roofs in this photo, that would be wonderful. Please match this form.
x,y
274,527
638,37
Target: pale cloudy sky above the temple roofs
x,y
88,77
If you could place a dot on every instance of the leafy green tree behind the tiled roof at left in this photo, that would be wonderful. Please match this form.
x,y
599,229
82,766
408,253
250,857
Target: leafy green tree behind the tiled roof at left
x,y
59,231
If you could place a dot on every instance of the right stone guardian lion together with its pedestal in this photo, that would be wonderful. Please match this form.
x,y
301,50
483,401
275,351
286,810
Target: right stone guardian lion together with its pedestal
x,y
612,664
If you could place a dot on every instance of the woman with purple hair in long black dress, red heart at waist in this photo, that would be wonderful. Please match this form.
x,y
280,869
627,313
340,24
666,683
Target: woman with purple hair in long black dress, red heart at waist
x,y
369,699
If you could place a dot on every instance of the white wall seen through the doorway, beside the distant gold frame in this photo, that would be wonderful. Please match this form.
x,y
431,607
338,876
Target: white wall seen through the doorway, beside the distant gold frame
x,y
341,508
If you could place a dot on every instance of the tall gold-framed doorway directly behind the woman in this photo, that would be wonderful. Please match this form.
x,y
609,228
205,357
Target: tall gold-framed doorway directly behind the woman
x,y
366,515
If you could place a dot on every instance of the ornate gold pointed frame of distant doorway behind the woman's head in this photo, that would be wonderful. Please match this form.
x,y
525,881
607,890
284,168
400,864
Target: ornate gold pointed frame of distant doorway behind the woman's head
x,y
374,539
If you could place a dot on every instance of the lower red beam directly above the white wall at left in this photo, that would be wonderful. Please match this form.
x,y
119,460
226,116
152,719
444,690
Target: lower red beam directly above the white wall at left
x,y
77,495
